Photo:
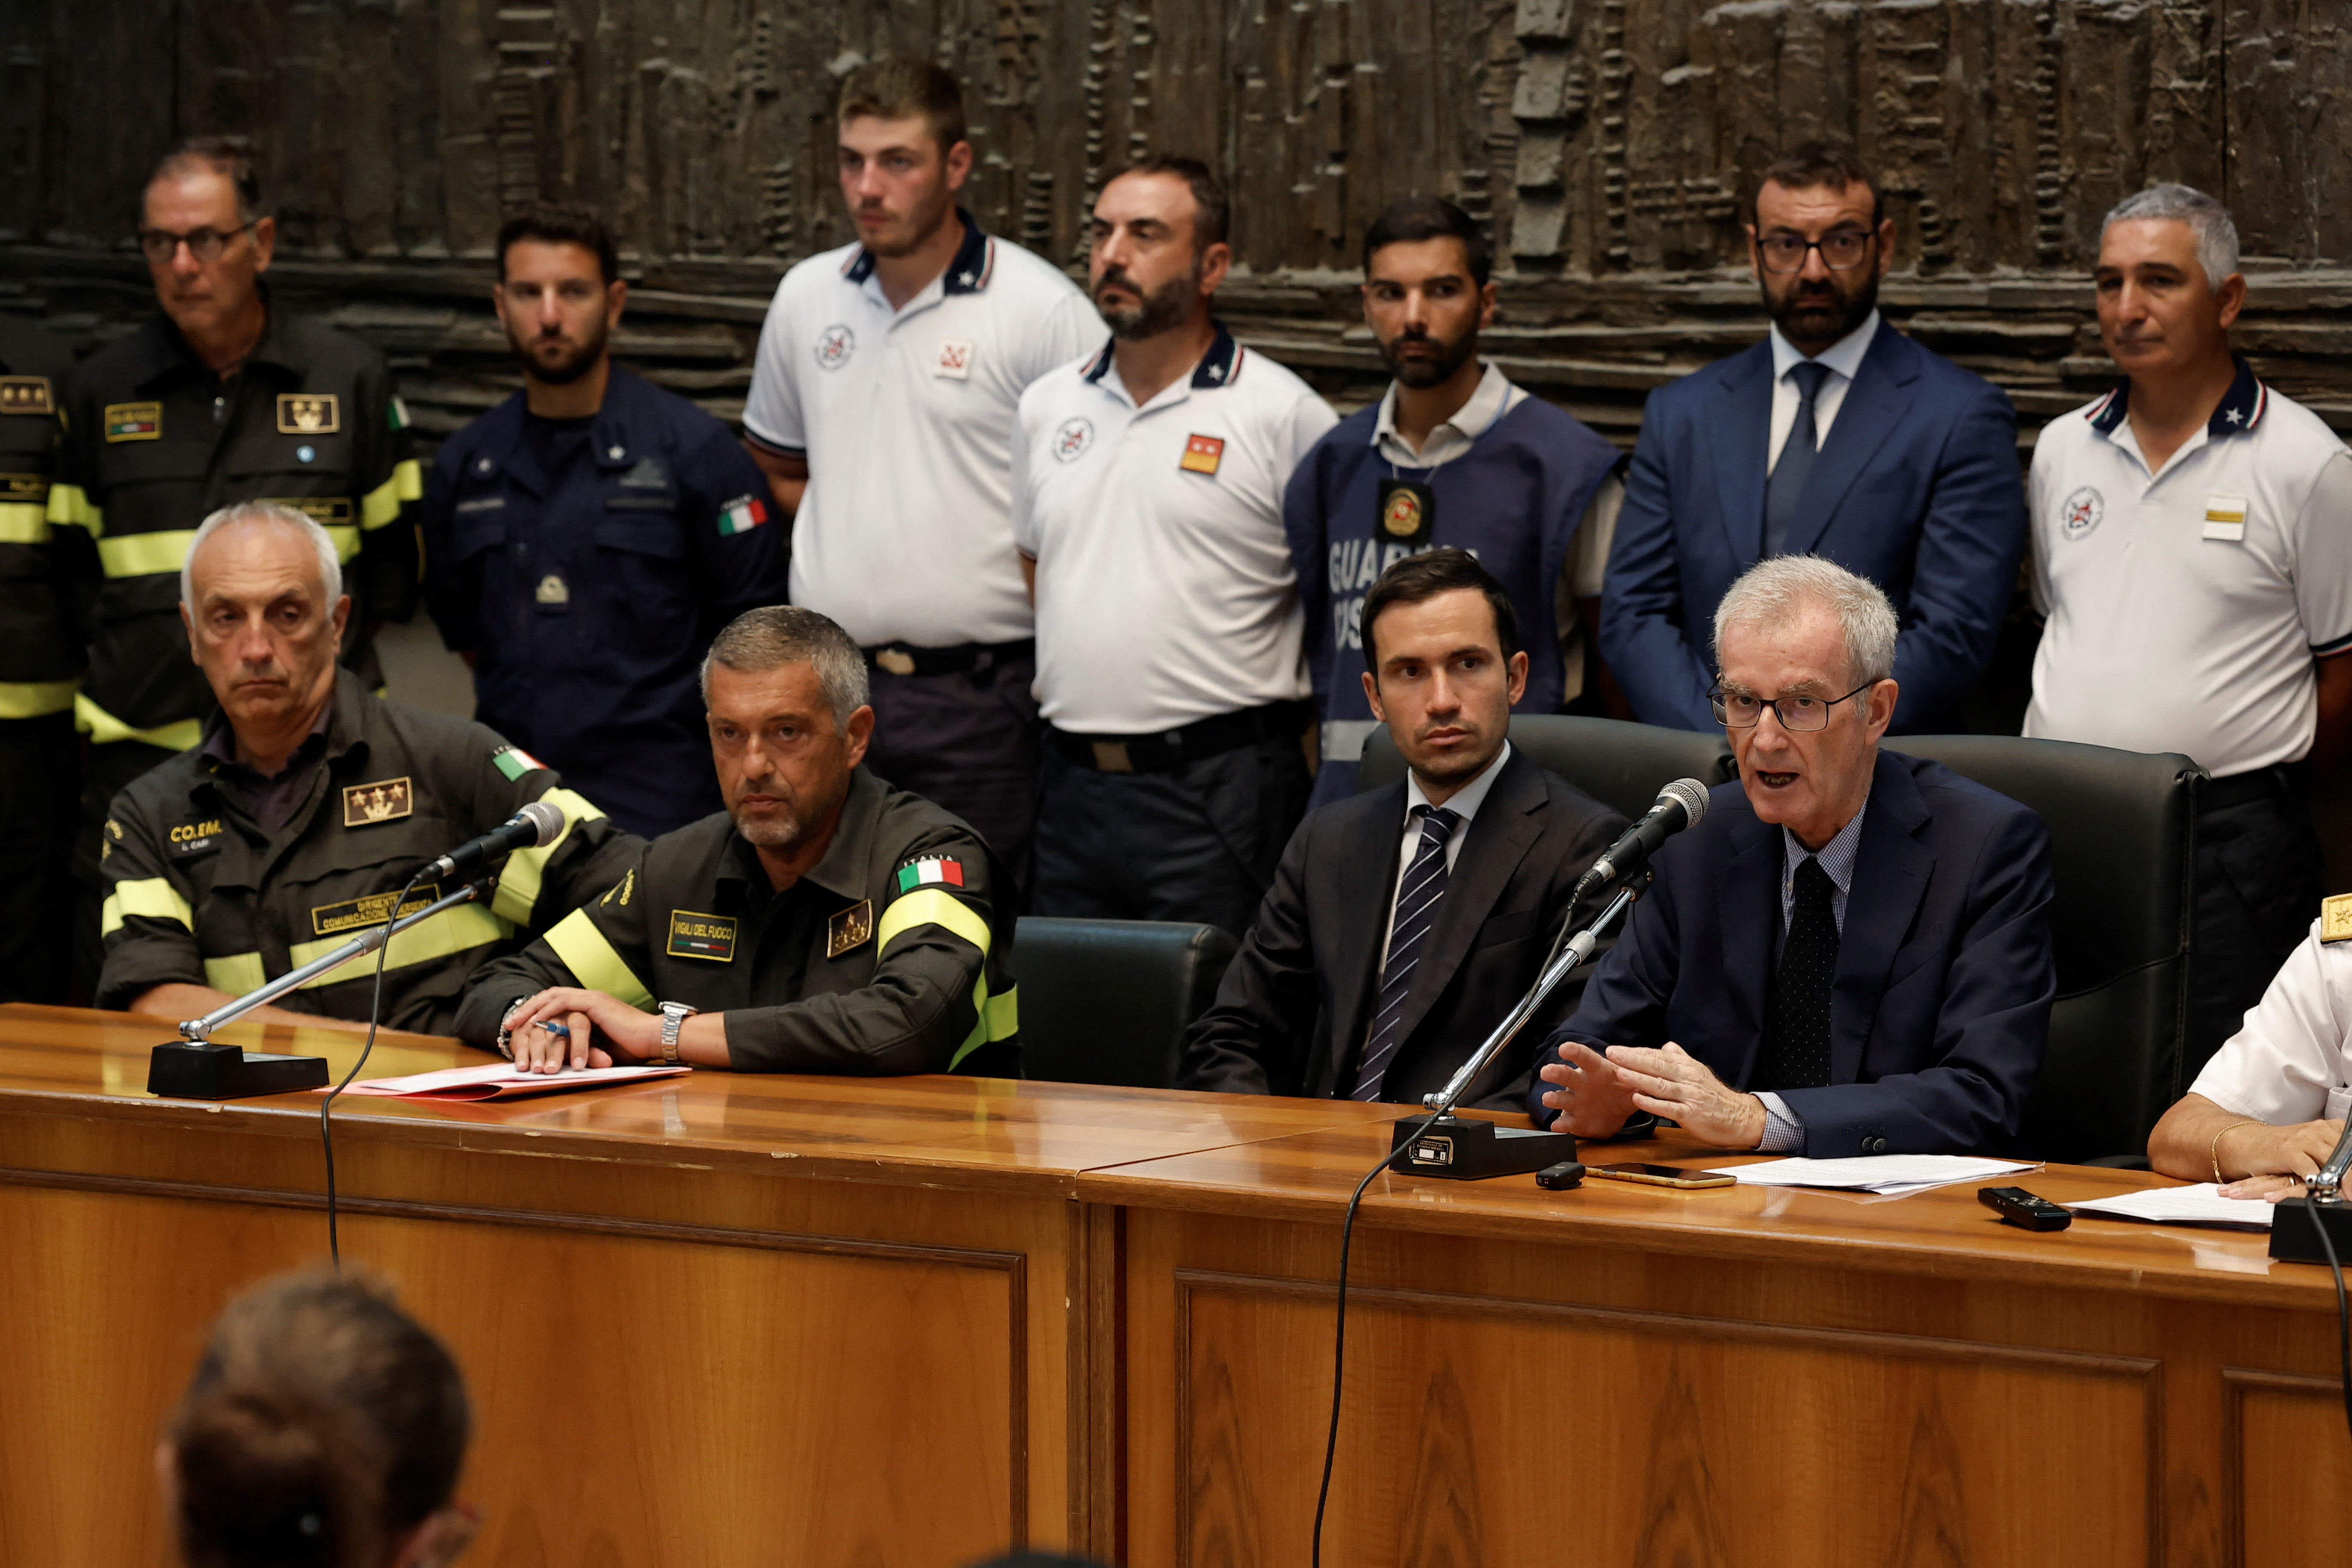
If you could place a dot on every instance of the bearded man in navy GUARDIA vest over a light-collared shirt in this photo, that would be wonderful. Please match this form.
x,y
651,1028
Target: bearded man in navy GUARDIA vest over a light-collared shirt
x,y
1455,455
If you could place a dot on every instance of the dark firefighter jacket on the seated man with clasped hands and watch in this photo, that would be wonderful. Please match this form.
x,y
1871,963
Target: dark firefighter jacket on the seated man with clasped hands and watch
x,y
888,958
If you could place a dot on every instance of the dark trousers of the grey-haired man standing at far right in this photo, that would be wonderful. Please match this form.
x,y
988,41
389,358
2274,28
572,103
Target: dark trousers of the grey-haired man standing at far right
x,y
2259,878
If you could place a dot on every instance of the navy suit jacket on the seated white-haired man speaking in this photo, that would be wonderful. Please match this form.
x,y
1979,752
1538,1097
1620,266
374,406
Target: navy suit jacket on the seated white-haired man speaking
x,y
1944,981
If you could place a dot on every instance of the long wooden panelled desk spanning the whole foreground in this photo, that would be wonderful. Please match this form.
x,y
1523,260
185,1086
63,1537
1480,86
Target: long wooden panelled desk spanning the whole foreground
x,y
735,1320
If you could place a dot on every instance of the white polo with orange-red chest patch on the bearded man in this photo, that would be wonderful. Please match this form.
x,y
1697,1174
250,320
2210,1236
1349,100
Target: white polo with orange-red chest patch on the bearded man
x,y
1165,587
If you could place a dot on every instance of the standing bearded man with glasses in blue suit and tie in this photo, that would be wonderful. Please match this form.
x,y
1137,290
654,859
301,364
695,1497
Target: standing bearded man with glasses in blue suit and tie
x,y
1833,438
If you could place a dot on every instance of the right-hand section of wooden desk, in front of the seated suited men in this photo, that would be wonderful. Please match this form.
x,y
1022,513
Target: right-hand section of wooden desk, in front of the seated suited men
x,y
1641,1379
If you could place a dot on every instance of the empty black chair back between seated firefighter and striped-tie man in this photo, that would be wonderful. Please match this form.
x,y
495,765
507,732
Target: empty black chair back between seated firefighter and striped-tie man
x,y
1109,1000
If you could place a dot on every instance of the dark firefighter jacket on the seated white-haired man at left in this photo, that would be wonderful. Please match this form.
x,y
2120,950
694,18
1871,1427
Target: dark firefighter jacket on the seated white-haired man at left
x,y
199,894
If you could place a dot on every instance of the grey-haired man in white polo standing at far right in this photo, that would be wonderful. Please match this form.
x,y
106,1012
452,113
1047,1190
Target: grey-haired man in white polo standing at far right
x,y
2193,558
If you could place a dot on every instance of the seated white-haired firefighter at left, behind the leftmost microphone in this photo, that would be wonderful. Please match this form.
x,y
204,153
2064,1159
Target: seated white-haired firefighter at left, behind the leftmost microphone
x,y
309,803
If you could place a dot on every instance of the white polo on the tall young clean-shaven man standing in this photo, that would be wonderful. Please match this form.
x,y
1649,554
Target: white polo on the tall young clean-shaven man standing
x,y
907,422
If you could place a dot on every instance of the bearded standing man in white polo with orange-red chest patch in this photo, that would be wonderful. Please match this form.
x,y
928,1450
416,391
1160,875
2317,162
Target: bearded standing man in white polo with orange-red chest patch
x,y
1149,504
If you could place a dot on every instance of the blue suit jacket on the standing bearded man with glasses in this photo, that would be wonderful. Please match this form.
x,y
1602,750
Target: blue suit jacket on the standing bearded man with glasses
x,y
1918,490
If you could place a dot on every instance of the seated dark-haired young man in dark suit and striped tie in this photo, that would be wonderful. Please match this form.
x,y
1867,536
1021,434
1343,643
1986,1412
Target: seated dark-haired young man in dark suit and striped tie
x,y
1405,923
